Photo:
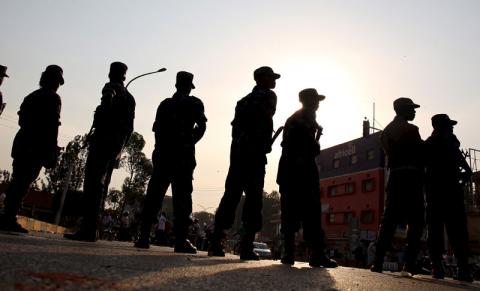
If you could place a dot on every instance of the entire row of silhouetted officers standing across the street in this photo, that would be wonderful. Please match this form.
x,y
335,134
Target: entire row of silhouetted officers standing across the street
x,y
436,165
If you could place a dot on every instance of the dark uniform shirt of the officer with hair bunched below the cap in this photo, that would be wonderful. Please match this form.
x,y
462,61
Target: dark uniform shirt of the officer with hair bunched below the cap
x,y
39,119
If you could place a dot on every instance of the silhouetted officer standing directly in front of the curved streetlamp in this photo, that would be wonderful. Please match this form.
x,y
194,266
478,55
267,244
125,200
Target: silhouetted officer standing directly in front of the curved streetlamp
x,y
111,130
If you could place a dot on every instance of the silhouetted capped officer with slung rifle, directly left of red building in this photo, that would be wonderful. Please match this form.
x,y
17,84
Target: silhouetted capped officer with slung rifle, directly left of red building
x,y
299,181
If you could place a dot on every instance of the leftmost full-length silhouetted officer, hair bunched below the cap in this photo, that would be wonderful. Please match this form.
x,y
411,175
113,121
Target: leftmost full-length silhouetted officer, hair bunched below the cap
x,y
35,145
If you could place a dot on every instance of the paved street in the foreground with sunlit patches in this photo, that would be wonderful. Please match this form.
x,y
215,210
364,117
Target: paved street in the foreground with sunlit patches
x,y
40,261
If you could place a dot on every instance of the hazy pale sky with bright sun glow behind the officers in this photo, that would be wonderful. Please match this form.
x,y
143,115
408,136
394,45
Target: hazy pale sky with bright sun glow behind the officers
x,y
354,52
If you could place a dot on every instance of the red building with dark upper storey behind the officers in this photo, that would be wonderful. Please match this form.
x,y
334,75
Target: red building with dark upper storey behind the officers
x,y
352,182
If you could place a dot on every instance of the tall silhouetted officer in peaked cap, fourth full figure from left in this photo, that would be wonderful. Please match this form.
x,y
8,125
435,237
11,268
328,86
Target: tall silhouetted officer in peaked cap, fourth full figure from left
x,y
252,129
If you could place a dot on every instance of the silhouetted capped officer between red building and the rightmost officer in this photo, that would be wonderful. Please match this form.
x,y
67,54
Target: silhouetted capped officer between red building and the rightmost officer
x,y
405,202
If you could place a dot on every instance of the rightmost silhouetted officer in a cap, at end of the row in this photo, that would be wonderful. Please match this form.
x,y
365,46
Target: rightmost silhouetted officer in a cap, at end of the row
x,y
446,173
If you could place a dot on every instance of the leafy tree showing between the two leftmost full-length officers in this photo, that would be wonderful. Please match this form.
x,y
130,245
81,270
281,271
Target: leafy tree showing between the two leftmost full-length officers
x,y
75,156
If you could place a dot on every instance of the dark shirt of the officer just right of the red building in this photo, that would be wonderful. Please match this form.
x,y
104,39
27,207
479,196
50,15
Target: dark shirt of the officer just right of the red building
x,y
402,144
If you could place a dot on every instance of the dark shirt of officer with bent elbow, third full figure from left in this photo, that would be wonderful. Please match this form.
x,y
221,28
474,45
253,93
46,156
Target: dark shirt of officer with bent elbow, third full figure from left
x,y
179,124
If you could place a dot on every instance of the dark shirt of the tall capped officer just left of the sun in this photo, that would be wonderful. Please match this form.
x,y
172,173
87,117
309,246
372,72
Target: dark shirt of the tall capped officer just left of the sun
x,y
252,126
